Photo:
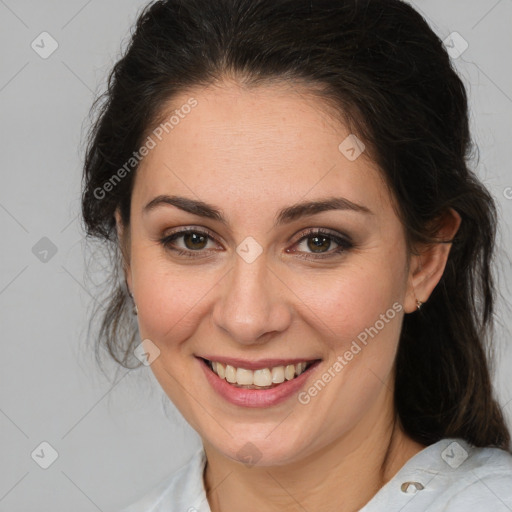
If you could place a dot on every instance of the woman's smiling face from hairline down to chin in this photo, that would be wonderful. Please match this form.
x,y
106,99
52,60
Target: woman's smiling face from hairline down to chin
x,y
262,285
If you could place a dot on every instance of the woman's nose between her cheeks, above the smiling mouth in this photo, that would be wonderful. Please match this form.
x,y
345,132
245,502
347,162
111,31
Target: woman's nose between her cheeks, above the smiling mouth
x,y
252,302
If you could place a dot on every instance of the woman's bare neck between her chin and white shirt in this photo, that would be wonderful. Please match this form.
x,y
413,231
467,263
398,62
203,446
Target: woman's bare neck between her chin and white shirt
x,y
343,476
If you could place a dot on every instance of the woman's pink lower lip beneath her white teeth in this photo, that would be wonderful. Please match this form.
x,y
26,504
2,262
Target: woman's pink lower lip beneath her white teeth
x,y
256,397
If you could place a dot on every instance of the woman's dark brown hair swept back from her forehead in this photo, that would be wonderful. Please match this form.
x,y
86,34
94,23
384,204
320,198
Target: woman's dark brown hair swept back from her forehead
x,y
393,83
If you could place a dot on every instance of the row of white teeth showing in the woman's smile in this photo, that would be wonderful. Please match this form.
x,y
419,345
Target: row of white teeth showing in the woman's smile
x,y
263,378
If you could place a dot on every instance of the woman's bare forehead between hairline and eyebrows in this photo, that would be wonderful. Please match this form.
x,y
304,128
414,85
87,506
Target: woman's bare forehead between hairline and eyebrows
x,y
270,144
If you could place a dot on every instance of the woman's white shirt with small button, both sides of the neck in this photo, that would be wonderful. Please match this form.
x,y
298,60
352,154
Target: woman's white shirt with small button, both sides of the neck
x,y
448,476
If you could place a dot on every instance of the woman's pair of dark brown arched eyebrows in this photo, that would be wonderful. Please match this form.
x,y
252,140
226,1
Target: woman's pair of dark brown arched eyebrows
x,y
284,216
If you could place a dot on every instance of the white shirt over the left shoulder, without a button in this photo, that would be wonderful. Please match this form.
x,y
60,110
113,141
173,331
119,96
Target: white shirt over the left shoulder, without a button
x,y
183,490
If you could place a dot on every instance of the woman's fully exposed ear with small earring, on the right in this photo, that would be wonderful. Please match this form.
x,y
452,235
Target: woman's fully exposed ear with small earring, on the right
x,y
429,261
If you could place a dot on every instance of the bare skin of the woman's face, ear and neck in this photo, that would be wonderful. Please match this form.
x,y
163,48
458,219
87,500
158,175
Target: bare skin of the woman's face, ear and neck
x,y
251,153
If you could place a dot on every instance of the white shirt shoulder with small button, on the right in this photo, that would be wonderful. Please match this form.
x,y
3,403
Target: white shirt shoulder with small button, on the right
x,y
450,475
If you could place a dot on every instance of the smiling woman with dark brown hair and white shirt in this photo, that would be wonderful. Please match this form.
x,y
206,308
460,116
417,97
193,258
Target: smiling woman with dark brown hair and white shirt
x,y
307,253
